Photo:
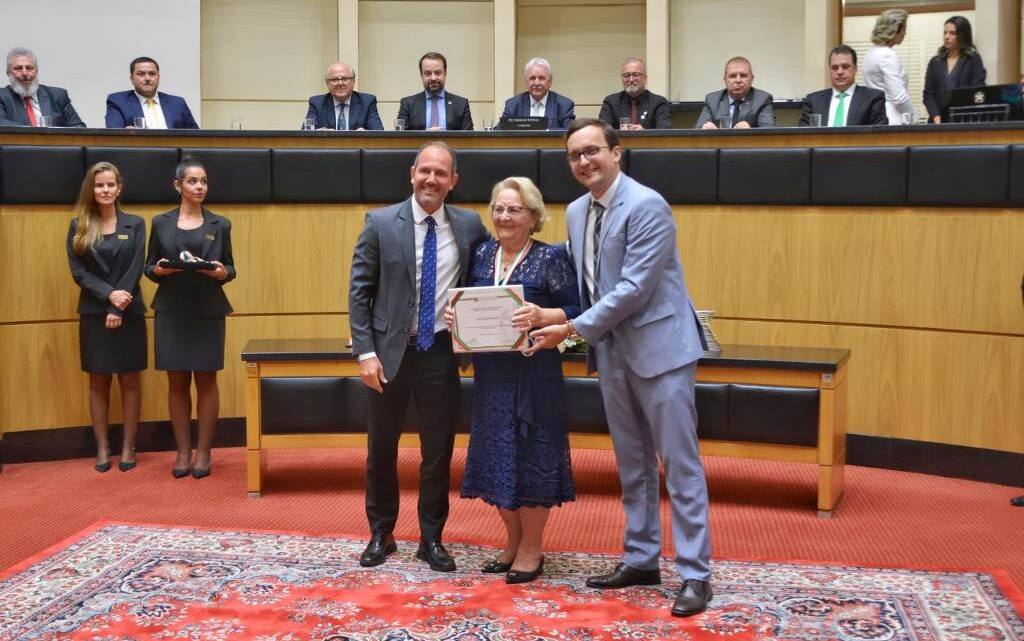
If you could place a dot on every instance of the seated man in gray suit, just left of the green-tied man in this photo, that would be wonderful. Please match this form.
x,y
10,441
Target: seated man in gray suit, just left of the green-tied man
x,y
740,103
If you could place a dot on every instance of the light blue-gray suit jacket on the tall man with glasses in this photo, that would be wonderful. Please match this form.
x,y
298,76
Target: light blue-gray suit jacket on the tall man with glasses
x,y
645,306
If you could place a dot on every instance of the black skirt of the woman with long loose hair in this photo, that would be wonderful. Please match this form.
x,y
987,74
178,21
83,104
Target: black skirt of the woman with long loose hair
x,y
112,352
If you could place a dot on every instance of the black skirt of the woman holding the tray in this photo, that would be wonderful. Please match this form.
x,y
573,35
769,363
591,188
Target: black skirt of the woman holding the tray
x,y
189,343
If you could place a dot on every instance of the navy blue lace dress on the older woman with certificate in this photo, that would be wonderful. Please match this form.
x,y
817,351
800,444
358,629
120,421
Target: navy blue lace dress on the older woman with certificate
x,y
519,447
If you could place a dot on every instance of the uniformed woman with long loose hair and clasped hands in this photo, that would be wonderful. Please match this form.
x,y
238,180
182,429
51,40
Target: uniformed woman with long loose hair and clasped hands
x,y
105,253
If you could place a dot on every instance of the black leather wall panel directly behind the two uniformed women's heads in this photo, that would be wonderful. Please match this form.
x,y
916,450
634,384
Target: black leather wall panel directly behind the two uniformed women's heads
x,y
149,173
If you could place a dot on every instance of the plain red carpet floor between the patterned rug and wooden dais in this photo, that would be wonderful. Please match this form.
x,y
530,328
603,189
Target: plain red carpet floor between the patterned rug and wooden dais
x,y
759,510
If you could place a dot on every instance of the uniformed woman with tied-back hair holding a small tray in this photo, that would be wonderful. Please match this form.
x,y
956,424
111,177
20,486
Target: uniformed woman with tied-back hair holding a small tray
x,y
191,307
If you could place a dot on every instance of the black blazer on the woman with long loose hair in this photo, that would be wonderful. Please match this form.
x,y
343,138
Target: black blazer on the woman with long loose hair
x,y
99,278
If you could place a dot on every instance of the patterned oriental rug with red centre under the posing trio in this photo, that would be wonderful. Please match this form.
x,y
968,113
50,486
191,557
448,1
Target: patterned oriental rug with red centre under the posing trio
x,y
125,582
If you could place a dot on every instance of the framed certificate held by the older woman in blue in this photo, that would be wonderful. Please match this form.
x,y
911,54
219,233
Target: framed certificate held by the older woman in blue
x,y
484,319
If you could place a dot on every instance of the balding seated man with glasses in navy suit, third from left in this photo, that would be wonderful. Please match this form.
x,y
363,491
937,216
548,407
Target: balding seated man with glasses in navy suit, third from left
x,y
343,108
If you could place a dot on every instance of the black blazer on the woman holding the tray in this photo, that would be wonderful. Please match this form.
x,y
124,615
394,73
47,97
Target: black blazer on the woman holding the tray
x,y
191,291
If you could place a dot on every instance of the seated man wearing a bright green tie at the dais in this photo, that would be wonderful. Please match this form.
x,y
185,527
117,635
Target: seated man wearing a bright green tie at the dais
x,y
845,104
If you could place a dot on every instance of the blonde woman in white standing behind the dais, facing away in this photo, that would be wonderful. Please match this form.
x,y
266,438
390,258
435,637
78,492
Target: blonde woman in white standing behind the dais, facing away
x,y
884,70
